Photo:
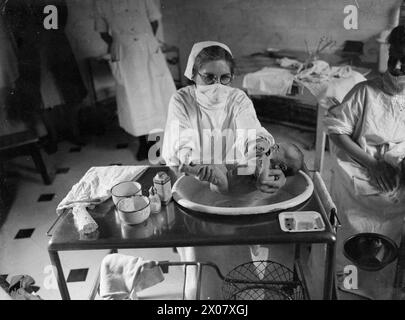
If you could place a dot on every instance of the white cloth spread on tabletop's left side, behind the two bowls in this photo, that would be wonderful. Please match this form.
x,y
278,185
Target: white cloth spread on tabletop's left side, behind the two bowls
x,y
96,184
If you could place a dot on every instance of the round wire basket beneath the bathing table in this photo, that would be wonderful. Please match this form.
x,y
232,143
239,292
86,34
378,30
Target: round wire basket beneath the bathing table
x,y
262,280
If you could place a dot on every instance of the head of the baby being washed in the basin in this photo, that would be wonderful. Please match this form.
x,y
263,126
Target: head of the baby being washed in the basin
x,y
287,157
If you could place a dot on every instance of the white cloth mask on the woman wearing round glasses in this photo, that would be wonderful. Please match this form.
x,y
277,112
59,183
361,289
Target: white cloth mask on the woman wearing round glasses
x,y
213,95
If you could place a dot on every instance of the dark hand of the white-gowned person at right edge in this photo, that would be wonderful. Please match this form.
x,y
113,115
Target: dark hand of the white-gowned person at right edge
x,y
383,176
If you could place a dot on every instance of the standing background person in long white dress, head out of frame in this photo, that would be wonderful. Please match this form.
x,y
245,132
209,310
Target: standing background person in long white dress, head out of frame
x,y
144,83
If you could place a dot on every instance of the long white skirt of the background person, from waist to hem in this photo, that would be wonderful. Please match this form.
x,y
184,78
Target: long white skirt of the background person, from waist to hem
x,y
144,83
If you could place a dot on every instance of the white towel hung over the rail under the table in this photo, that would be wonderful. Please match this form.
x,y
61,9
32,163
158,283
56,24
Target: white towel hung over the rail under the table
x,y
122,276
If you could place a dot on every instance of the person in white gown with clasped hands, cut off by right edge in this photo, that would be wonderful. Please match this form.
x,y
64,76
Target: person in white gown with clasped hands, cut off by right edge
x,y
370,121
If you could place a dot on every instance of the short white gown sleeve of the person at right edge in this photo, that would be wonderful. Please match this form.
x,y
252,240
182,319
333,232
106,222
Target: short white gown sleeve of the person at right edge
x,y
343,118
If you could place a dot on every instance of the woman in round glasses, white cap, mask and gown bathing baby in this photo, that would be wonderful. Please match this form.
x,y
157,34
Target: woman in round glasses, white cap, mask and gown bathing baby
x,y
211,108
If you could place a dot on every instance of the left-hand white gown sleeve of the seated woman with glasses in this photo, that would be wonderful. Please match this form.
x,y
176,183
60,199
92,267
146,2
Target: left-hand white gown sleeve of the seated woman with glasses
x,y
179,142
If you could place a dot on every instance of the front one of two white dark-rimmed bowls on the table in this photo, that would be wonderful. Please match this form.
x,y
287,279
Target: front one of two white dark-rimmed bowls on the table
x,y
134,210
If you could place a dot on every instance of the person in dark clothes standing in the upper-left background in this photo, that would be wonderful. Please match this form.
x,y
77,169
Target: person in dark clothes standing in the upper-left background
x,y
38,48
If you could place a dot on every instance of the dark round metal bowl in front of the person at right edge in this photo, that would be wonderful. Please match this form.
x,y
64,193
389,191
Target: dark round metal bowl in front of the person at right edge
x,y
370,251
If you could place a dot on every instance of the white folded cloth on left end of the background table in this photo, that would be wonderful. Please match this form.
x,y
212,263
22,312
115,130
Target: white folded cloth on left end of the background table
x,y
269,81
